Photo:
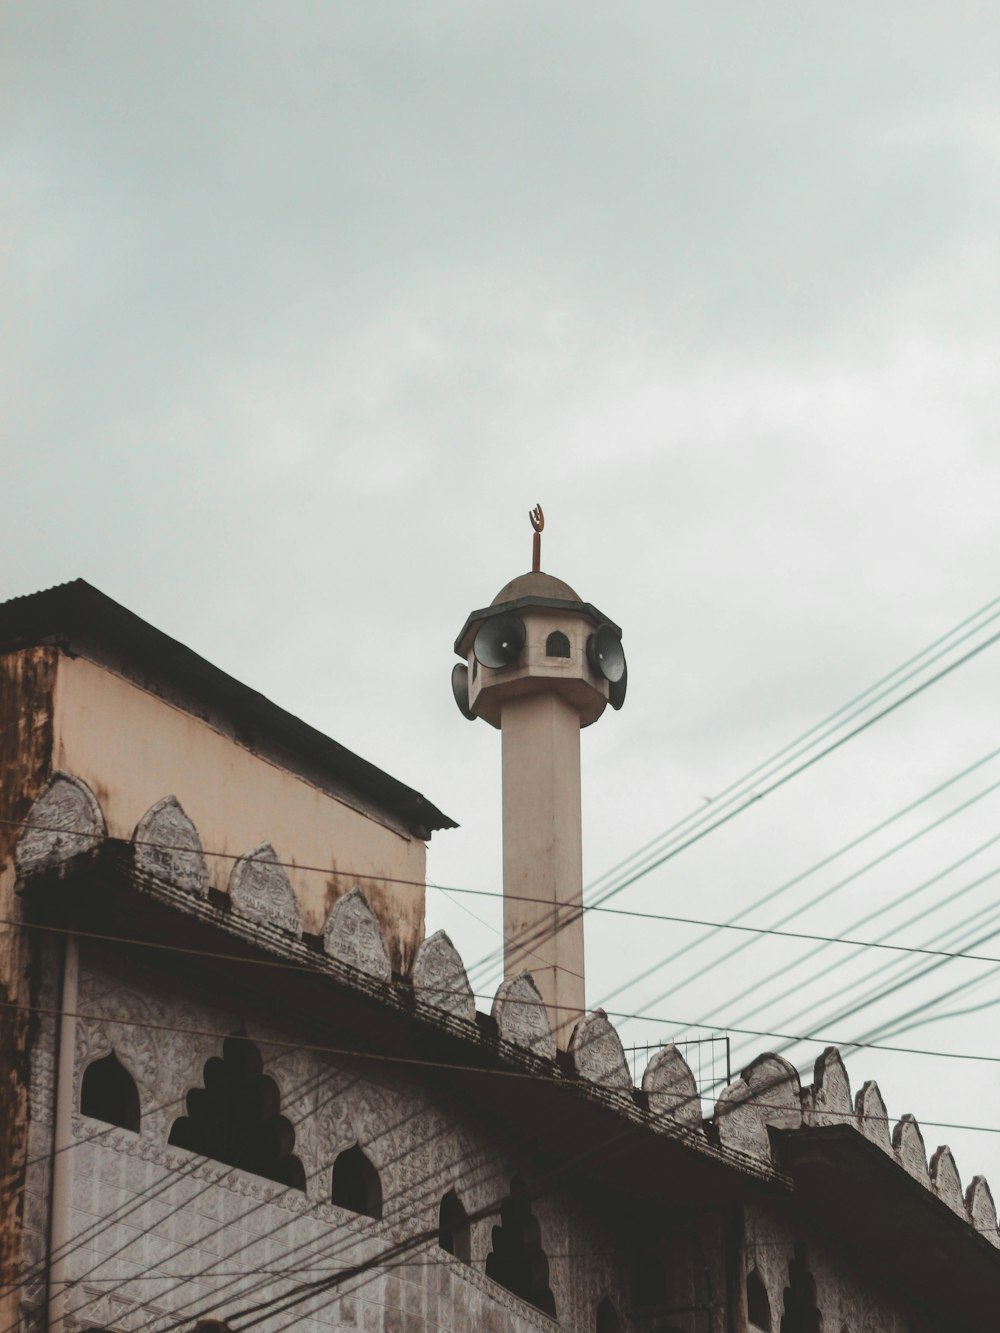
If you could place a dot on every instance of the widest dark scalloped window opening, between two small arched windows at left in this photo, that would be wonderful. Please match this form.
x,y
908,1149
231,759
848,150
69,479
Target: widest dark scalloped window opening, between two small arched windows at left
x,y
235,1119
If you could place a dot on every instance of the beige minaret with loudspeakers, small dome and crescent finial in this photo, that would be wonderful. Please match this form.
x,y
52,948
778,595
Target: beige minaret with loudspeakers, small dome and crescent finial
x,y
541,665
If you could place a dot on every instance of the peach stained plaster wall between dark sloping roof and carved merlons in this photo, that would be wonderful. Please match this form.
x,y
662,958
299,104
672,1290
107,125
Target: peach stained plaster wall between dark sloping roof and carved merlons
x,y
133,748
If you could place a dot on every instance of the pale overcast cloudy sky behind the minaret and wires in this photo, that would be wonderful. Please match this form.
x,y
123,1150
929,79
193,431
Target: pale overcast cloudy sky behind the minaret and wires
x,y
306,306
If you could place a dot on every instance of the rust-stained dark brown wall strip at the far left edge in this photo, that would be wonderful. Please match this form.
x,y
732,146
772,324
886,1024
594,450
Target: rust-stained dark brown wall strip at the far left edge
x,y
27,682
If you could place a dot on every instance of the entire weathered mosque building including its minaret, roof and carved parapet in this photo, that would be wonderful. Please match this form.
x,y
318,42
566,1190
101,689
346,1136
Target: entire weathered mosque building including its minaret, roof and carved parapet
x,y
242,1088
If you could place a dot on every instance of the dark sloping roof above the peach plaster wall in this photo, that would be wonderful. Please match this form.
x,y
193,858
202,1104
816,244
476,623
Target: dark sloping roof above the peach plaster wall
x,y
81,619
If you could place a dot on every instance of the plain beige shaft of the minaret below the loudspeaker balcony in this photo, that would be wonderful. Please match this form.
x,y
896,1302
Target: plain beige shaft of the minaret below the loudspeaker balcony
x,y
543,852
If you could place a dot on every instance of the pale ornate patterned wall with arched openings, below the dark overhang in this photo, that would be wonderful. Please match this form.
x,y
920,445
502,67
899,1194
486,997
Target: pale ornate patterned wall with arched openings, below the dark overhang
x,y
159,1234
